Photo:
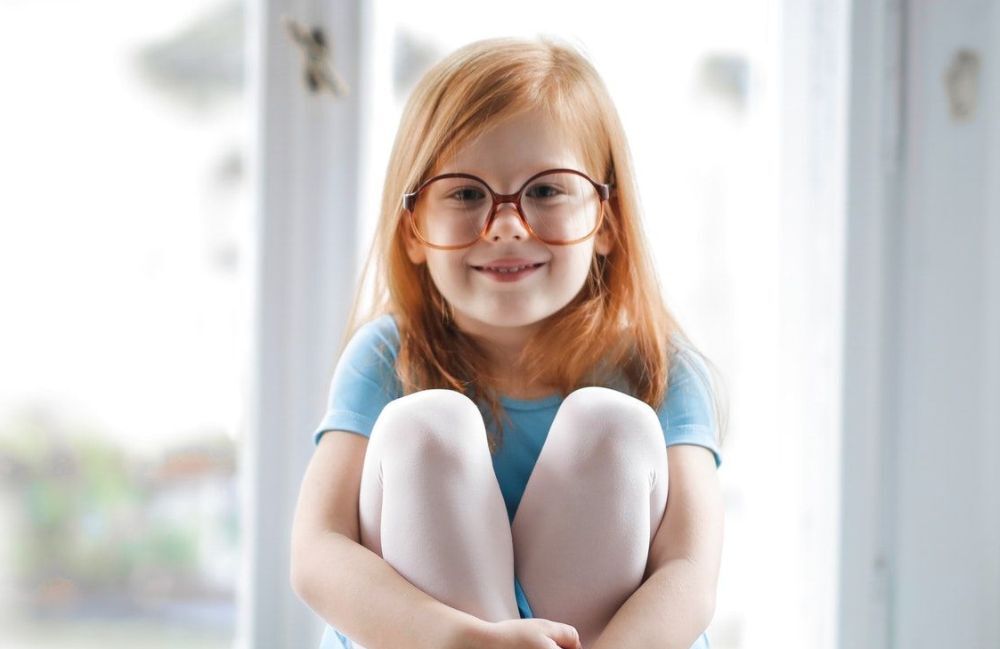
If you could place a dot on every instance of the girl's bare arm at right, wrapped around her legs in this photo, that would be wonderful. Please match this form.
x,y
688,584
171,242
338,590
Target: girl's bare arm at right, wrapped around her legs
x,y
676,600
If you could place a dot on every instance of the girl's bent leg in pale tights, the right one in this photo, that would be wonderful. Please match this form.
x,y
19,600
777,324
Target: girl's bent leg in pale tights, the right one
x,y
591,507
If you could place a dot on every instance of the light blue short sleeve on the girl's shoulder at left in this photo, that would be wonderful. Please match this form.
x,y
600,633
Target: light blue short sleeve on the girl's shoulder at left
x,y
364,380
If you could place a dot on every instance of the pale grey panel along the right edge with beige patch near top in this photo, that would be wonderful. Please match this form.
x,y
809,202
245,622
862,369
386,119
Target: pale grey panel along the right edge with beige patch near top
x,y
946,579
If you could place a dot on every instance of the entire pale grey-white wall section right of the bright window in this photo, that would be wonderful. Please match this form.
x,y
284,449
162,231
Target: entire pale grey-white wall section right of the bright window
x,y
921,526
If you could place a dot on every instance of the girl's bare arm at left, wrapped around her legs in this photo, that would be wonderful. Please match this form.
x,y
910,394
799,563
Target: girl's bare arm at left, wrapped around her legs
x,y
348,585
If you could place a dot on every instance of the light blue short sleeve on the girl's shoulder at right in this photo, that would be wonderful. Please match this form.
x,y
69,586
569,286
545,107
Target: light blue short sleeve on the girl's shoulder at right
x,y
688,414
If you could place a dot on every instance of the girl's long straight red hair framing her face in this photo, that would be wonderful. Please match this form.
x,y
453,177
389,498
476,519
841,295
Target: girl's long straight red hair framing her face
x,y
617,327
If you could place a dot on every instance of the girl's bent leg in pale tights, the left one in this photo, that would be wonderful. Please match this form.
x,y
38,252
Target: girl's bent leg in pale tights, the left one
x,y
430,504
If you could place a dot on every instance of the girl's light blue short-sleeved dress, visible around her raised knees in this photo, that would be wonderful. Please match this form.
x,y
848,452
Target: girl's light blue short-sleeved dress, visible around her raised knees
x,y
364,381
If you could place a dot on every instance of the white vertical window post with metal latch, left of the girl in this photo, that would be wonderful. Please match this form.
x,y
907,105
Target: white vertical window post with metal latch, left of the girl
x,y
304,163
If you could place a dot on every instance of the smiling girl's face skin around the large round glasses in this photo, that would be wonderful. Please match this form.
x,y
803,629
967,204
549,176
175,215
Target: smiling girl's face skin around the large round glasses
x,y
496,307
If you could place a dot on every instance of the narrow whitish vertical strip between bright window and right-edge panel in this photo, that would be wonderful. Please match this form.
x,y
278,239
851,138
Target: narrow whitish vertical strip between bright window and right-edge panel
x,y
870,320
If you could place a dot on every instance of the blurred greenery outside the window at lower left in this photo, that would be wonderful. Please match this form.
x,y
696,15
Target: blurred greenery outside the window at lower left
x,y
87,511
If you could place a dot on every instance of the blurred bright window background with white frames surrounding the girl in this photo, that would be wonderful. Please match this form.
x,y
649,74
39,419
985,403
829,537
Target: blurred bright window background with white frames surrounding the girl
x,y
183,216
